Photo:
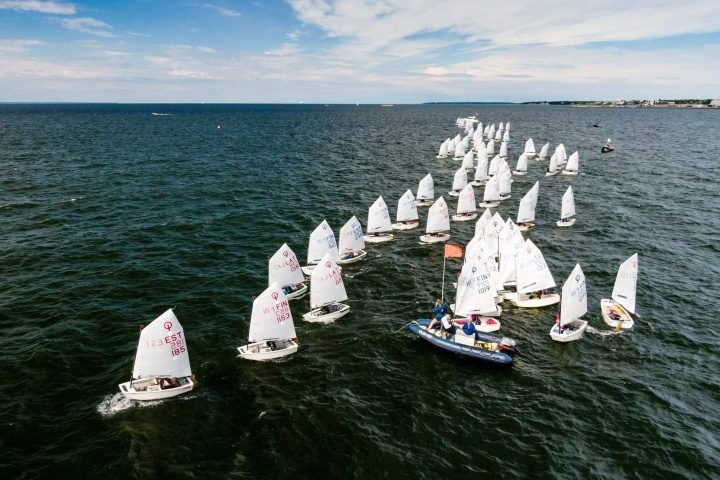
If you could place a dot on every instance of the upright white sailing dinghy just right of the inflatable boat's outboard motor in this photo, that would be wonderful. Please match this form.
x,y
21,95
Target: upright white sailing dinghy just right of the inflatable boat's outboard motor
x,y
569,327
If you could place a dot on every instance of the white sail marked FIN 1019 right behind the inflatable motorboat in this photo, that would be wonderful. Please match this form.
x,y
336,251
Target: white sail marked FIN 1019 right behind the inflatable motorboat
x,y
475,292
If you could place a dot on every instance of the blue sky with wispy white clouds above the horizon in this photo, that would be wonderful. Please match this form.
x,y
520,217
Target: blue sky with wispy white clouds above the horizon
x,y
348,51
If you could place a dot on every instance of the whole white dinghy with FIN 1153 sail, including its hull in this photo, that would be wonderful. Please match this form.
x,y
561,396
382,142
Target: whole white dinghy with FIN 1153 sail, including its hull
x,y
272,331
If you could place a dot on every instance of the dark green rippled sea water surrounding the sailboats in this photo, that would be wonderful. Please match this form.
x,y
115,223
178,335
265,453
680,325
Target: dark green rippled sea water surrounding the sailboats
x,y
109,215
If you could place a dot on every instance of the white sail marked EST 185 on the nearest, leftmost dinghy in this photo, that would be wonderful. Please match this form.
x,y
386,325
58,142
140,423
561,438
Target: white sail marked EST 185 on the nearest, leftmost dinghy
x,y
162,349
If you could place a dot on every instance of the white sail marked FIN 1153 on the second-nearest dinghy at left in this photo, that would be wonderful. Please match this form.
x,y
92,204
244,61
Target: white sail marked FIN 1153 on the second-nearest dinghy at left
x,y
271,317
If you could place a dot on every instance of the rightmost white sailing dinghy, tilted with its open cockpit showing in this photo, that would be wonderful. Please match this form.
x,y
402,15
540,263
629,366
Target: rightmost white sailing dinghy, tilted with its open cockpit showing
x,y
617,311
